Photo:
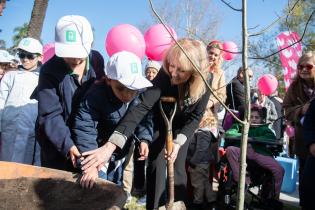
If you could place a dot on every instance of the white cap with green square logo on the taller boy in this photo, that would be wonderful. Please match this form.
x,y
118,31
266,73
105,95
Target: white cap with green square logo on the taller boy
x,y
73,37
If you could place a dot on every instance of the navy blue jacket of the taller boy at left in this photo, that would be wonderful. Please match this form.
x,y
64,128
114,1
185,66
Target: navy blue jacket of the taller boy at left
x,y
58,93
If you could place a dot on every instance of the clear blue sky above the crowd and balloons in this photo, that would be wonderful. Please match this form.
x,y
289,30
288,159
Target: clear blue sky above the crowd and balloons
x,y
105,14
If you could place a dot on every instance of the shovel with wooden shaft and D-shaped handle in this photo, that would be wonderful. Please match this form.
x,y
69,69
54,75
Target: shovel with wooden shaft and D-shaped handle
x,y
169,148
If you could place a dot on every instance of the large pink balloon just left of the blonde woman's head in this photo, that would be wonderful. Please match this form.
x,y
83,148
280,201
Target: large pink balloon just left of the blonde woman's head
x,y
158,40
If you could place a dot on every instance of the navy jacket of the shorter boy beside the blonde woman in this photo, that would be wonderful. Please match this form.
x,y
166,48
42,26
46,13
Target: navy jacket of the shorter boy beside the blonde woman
x,y
98,115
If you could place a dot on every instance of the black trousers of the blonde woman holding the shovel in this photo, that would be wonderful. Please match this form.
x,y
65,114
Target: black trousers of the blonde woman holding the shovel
x,y
156,175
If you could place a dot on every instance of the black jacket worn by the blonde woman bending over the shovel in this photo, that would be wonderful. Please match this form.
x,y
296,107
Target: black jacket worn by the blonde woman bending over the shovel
x,y
187,117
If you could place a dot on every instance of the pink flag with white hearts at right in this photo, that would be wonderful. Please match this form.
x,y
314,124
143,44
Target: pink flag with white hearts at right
x,y
290,56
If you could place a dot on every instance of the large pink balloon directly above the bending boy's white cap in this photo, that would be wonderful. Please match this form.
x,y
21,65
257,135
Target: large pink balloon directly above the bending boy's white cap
x,y
125,37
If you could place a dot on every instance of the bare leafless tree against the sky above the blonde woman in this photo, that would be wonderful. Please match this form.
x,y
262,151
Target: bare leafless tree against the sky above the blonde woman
x,y
189,18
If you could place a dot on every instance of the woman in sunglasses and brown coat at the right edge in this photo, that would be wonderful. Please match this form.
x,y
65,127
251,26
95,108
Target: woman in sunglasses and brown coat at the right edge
x,y
297,101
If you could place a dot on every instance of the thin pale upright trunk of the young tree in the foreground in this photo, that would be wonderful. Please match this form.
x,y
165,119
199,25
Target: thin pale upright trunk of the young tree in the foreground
x,y
241,183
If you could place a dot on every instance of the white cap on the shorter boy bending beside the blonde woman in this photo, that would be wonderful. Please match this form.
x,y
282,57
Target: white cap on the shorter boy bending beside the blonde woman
x,y
126,68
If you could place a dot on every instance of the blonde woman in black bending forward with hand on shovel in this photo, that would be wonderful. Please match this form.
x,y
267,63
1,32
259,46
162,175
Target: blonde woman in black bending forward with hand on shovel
x,y
178,79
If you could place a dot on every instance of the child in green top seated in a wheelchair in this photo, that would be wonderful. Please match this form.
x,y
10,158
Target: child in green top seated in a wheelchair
x,y
259,156
